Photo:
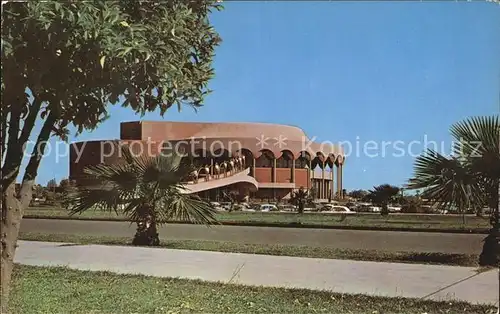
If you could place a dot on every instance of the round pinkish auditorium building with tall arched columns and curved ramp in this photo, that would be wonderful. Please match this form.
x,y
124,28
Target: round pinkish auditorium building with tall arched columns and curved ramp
x,y
258,160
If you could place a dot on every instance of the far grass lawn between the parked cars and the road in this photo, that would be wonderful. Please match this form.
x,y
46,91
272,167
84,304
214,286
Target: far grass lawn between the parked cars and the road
x,y
411,221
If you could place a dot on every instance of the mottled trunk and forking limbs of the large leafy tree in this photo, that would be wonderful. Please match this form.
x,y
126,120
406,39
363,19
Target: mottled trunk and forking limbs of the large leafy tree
x,y
12,152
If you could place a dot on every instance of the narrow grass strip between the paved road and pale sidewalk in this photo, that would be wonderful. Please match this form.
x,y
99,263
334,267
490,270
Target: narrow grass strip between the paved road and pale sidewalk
x,y
280,250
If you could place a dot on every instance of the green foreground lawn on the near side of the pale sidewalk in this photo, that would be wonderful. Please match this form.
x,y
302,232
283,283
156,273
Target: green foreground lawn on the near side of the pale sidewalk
x,y
61,290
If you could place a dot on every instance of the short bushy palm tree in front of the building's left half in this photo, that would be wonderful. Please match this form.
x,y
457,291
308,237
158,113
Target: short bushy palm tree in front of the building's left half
x,y
148,190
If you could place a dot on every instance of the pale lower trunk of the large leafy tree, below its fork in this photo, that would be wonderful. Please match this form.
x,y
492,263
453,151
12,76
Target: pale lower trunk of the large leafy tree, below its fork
x,y
11,213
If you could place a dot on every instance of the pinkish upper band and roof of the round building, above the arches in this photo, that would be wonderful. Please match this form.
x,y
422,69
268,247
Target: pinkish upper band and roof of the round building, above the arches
x,y
232,136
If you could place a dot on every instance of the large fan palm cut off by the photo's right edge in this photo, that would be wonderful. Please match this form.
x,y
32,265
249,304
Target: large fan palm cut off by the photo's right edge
x,y
468,179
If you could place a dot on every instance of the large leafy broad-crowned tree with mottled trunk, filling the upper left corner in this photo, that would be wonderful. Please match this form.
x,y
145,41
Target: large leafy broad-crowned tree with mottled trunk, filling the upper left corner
x,y
67,62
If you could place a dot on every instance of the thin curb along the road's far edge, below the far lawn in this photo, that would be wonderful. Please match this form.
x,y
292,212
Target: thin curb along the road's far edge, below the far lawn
x,y
282,225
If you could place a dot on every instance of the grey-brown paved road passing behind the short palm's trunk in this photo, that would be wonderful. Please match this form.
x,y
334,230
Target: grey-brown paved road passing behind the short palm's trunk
x,y
348,239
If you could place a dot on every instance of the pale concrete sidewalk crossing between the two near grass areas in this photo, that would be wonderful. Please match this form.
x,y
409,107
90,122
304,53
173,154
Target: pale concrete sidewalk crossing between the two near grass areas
x,y
345,276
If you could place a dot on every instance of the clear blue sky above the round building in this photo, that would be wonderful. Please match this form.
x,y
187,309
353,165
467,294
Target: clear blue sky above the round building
x,y
364,73
